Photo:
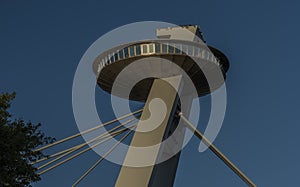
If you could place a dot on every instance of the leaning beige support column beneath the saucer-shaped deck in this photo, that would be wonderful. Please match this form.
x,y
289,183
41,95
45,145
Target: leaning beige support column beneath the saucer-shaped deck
x,y
165,90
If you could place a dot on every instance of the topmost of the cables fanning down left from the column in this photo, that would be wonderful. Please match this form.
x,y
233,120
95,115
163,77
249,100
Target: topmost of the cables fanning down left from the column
x,y
88,130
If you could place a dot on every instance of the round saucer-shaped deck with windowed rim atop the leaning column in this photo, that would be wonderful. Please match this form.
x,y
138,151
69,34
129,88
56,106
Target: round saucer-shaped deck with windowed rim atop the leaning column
x,y
185,54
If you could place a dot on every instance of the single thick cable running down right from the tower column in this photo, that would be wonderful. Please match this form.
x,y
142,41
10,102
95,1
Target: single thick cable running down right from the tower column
x,y
217,152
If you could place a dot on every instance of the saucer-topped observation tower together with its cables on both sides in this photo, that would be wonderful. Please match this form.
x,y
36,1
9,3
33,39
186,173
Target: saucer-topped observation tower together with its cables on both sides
x,y
166,74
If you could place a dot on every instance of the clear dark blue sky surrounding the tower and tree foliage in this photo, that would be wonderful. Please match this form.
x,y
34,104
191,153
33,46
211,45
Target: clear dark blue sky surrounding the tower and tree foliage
x,y
42,42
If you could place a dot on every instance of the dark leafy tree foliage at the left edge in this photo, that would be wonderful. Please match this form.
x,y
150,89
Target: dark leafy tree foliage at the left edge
x,y
17,144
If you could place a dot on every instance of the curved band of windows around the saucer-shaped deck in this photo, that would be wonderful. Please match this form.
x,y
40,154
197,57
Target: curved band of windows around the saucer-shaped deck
x,y
157,48
